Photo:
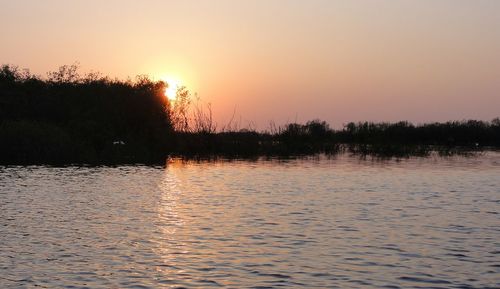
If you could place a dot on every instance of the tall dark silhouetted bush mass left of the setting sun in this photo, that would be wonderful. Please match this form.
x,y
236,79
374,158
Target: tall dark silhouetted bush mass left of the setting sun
x,y
83,119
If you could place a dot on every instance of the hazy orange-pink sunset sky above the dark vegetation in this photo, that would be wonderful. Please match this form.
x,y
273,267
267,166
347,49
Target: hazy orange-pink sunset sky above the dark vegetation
x,y
281,61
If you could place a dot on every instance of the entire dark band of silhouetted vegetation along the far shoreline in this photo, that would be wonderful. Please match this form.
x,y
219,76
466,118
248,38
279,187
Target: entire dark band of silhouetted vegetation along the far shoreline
x,y
68,118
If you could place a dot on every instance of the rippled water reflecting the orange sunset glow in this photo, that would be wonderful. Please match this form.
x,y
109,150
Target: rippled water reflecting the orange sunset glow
x,y
306,223
